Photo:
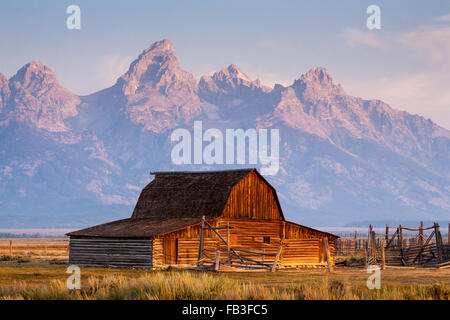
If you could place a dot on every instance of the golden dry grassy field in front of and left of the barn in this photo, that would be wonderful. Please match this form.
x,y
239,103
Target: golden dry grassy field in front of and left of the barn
x,y
37,270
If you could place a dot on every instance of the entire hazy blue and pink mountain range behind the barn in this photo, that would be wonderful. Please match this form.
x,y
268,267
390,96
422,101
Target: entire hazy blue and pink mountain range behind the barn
x,y
72,161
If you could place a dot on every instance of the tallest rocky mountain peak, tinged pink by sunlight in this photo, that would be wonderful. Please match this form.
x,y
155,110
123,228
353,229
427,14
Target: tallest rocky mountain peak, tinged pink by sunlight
x,y
157,93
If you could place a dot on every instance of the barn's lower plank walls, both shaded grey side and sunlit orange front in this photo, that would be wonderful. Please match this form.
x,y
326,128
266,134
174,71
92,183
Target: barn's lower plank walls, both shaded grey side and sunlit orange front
x,y
300,245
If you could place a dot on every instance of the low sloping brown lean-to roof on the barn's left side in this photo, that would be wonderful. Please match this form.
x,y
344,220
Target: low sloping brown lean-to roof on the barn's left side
x,y
136,227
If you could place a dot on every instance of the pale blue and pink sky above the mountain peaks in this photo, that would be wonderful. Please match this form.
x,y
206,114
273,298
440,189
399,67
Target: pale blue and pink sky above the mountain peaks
x,y
404,63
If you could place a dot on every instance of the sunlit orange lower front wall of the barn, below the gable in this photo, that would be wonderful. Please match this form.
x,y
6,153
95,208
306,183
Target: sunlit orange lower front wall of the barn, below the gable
x,y
300,245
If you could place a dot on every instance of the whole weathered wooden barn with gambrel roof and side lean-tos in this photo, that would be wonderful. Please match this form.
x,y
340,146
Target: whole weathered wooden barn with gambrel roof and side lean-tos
x,y
214,218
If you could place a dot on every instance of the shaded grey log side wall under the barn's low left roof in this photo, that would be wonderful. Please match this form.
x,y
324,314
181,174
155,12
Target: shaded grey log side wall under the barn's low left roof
x,y
111,252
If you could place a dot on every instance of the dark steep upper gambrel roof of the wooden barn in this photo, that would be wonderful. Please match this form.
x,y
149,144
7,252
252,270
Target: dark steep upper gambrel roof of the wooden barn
x,y
190,194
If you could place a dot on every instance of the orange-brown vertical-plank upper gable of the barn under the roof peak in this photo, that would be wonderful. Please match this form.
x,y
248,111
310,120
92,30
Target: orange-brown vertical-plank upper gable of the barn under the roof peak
x,y
252,198
